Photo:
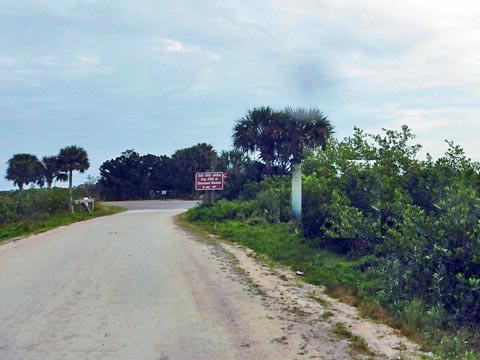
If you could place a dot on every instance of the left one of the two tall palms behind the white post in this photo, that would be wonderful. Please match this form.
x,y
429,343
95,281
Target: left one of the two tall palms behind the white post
x,y
257,132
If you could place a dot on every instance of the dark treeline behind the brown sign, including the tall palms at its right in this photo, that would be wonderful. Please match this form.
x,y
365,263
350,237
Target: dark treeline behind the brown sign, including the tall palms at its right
x,y
276,138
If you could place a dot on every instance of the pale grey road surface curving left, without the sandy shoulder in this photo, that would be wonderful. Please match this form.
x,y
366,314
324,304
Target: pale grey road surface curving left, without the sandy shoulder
x,y
129,286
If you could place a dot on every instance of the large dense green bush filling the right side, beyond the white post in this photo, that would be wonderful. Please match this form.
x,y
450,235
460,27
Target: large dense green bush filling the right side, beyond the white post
x,y
419,217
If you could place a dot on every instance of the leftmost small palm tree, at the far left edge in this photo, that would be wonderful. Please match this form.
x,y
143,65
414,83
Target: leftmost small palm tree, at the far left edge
x,y
24,169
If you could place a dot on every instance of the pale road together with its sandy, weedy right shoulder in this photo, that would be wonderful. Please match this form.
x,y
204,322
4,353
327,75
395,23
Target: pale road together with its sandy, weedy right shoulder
x,y
136,286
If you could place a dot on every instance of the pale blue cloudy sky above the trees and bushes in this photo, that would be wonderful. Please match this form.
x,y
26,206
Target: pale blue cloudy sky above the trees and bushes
x,y
157,76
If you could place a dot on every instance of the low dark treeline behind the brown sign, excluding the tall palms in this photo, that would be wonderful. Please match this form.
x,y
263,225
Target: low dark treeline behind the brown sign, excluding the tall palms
x,y
132,176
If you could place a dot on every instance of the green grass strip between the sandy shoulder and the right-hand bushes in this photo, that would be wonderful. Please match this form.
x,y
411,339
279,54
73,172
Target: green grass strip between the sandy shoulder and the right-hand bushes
x,y
351,281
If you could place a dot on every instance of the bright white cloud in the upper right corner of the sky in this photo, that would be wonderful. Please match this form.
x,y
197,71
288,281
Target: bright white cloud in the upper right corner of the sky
x,y
440,40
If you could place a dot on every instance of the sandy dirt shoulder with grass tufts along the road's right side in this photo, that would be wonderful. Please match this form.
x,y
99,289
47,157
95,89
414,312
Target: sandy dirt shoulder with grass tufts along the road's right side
x,y
318,325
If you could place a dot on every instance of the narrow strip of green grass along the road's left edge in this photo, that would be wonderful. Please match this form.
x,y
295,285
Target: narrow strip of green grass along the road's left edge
x,y
28,227
